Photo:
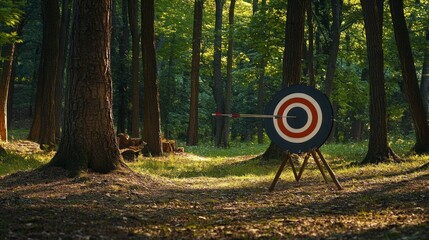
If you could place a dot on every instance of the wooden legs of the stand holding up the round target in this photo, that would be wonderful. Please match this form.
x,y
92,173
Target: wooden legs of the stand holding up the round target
x,y
317,156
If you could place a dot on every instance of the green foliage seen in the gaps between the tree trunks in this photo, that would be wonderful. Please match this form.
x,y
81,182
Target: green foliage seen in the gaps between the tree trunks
x,y
258,35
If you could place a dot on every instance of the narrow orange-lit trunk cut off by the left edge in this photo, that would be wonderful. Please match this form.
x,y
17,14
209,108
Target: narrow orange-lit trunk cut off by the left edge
x,y
8,52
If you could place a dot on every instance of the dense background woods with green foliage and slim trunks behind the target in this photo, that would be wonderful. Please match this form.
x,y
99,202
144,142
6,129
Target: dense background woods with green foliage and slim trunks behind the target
x,y
241,64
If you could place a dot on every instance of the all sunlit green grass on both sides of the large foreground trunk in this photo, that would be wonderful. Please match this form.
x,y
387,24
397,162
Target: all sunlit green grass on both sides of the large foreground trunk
x,y
238,163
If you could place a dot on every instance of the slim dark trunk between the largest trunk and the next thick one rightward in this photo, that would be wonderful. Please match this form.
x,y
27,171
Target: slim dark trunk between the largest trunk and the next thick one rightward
x,y
134,27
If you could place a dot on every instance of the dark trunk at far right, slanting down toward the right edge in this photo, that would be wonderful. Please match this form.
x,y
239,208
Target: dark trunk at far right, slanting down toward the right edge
x,y
409,75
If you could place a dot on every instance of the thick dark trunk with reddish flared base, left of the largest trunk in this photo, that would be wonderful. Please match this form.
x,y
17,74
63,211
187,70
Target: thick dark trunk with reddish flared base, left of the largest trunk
x,y
43,127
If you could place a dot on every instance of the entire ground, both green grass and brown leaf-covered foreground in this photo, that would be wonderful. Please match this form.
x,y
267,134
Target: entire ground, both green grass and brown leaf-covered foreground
x,y
218,193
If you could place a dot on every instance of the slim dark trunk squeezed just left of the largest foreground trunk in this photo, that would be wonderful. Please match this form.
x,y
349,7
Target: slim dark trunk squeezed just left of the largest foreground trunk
x,y
59,90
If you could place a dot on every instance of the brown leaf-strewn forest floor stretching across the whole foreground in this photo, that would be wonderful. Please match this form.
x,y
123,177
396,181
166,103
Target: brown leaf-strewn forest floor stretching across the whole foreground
x,y
46,204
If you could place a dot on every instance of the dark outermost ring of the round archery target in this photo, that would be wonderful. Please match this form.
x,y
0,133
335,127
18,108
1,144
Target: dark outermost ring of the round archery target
x,y
325,129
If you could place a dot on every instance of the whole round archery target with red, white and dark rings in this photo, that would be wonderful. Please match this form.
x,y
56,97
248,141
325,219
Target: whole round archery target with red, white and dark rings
x,y
302,118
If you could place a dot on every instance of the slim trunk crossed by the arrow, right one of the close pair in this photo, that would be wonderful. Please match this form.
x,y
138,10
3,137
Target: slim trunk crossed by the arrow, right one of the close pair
x,y
229,62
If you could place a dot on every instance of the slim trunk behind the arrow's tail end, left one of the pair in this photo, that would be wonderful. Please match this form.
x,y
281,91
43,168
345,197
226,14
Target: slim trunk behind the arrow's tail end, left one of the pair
x,y
217,75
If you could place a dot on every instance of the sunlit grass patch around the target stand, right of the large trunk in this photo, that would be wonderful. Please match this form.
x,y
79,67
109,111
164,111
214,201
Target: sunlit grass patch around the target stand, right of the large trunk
x,y
242,166
